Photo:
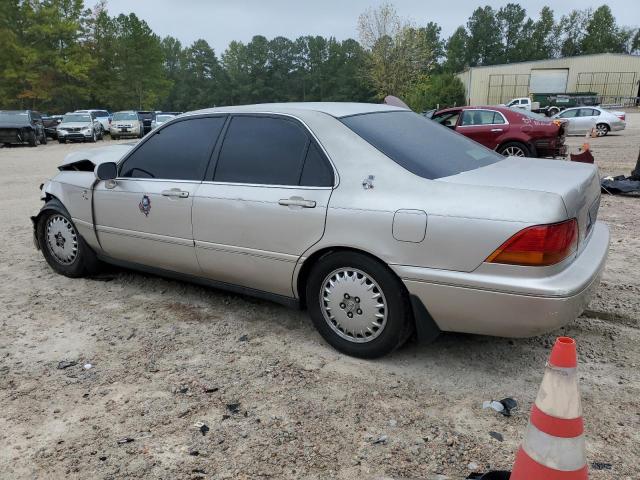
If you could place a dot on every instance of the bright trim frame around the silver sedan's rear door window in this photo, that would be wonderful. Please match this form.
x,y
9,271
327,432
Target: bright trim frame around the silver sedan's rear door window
x,y
211,170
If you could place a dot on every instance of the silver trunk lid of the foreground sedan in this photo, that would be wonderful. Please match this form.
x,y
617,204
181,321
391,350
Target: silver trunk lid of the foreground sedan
x,y
577,183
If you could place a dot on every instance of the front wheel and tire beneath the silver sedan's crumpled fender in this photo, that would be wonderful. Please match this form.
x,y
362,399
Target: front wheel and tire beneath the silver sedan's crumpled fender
x,y
63,248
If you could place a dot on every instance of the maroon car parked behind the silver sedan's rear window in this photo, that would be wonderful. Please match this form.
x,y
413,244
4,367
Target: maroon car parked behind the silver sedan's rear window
x,y
508,131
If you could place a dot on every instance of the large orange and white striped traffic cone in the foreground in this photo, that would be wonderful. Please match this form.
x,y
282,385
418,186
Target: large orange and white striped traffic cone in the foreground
x,y
553,447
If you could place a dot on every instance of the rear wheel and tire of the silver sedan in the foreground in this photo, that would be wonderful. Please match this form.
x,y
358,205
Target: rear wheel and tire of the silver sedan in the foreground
x,y
347,279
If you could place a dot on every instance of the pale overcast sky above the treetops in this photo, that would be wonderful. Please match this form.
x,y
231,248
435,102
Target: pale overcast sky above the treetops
x,y
221,21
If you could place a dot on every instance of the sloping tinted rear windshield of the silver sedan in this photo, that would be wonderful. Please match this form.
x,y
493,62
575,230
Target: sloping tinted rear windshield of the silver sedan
x,y
422,146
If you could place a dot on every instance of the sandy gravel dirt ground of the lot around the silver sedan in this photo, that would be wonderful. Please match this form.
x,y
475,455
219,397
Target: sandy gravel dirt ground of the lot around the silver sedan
x,y
279,402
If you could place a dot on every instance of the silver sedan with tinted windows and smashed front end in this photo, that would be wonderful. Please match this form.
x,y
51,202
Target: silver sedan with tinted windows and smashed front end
x,y
383,224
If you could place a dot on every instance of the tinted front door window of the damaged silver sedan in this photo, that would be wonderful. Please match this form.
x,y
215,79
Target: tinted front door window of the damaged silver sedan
x,y
179,152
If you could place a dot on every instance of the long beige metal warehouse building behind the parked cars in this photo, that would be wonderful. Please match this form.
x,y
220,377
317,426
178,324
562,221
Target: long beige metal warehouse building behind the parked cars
x,y
611,75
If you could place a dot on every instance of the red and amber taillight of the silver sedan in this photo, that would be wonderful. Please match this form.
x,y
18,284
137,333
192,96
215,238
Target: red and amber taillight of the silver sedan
x,y
539,245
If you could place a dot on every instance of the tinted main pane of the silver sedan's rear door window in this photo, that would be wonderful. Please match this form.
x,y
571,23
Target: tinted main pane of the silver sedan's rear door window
x,y
262,150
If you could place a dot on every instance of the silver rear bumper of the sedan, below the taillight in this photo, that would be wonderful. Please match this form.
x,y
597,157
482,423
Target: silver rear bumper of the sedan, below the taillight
x,y
510,307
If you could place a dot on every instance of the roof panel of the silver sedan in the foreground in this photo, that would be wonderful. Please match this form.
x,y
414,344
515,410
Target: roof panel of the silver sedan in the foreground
x,y
335,109
